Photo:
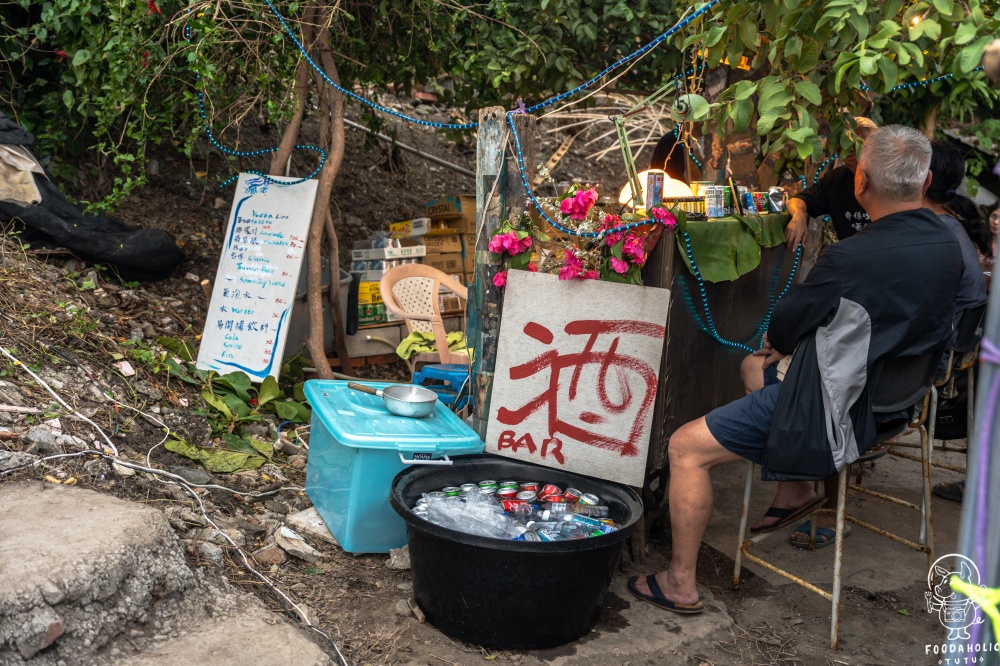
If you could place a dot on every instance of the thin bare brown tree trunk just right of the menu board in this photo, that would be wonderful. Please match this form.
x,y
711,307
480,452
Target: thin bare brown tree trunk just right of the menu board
x,y
331,104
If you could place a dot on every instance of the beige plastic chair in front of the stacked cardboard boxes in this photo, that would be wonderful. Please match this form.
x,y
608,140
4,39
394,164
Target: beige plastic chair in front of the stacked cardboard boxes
x,y
411,291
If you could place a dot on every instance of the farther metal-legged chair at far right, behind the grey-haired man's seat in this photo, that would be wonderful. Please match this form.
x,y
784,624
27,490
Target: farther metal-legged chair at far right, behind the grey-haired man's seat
x,y
961,358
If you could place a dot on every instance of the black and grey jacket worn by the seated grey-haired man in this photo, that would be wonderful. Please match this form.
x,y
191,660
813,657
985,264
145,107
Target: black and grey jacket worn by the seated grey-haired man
x,y
886,292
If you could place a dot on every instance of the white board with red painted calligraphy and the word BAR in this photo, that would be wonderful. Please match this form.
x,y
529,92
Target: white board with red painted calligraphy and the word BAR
x,y
576,374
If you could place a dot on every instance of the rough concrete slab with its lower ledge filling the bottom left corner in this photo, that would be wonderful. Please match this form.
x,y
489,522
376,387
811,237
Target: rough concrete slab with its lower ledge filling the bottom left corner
x,y
92,580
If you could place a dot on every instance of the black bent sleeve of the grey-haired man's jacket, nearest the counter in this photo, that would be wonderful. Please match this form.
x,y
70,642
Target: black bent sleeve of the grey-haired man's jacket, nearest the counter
x,y
806,306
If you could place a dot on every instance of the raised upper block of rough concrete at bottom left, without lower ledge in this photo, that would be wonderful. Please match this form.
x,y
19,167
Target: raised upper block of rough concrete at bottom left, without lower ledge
x,y
76,566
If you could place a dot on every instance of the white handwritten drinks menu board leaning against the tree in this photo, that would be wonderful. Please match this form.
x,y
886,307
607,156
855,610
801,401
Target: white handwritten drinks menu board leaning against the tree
x,y
258,273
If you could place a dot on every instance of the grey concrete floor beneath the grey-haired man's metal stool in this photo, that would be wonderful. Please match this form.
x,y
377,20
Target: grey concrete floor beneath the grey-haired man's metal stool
x,y
871,562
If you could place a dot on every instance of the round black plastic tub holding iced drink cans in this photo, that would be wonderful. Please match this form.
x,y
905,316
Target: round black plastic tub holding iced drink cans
x,y
510,594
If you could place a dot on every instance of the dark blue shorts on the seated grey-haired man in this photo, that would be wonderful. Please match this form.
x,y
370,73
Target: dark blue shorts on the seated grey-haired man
x,y
742,426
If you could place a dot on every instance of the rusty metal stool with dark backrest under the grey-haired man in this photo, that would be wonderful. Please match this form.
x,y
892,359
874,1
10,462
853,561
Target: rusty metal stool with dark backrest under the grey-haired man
x,y
897,384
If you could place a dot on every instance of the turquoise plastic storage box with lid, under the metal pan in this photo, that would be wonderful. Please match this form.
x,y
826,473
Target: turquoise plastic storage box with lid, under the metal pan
x,y
356,447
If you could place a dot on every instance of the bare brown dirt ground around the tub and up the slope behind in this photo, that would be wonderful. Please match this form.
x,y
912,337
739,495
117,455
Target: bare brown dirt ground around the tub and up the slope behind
x,y
356,599
